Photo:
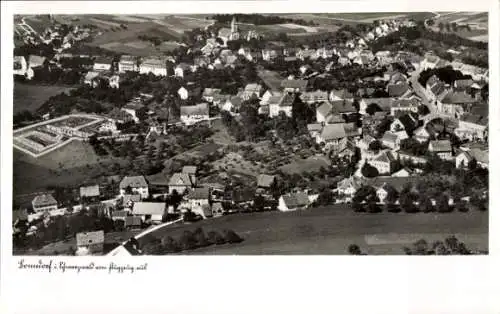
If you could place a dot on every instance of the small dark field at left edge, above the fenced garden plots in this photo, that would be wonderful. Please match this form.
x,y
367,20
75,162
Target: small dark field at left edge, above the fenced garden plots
x,y
30,97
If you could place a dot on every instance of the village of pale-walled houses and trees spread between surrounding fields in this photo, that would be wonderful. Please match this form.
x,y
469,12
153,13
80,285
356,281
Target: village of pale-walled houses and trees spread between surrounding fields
x,y
240,124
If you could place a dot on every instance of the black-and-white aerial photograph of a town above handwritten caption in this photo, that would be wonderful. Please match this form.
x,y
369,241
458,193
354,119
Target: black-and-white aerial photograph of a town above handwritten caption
x,y
251,134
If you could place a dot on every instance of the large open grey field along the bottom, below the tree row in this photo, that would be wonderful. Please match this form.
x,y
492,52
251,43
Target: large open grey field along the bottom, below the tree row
x,y
329,230
